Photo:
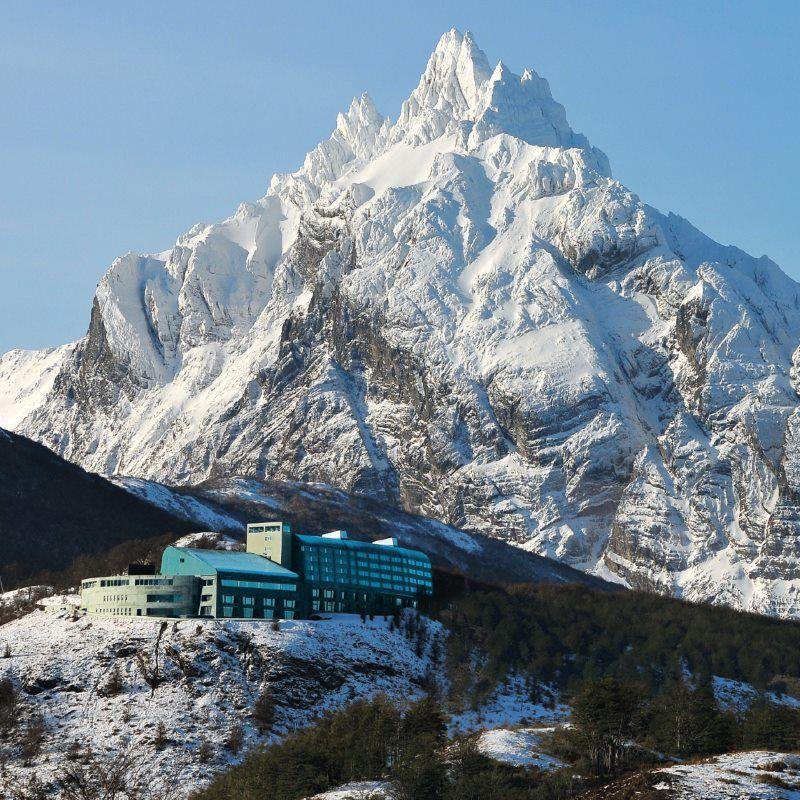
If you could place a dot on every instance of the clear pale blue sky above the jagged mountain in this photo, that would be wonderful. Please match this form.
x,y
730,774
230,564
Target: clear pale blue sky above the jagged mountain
x,y
123,124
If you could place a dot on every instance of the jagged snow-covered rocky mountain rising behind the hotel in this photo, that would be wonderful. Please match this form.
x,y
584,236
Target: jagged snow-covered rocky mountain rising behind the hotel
x,y
462,313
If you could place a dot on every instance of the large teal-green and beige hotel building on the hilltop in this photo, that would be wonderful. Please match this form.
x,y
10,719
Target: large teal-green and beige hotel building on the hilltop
x,y
281,575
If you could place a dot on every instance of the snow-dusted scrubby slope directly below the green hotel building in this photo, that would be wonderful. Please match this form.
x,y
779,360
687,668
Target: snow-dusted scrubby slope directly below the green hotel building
x,y
210,674
